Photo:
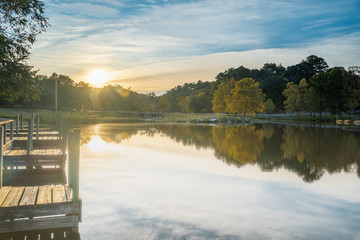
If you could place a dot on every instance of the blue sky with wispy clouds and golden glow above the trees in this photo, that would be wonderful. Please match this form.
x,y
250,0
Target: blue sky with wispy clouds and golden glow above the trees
x,y
155,45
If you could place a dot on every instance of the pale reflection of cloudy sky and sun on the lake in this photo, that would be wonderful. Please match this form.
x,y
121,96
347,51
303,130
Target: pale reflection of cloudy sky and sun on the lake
x,y
154,188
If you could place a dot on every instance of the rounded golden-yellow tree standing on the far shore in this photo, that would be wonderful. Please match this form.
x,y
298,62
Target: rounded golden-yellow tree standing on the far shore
x,y
246,97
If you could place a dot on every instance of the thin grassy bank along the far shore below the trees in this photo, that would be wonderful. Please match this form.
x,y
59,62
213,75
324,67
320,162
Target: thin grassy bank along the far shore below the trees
x,y
78,117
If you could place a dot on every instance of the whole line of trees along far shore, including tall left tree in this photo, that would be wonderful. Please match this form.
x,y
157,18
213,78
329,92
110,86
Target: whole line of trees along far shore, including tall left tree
x,y
309,86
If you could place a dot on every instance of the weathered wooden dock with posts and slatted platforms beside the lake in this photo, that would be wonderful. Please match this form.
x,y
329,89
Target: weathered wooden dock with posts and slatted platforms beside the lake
x,y
31,202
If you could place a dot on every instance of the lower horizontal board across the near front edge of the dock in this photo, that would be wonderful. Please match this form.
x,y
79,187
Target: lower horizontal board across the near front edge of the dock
x,y
38,224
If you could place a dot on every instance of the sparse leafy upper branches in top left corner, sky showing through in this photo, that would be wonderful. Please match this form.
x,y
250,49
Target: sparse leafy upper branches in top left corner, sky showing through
x,y
20,22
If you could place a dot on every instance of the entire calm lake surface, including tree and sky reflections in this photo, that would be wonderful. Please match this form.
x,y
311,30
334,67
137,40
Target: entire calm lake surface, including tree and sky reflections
x,y
207,182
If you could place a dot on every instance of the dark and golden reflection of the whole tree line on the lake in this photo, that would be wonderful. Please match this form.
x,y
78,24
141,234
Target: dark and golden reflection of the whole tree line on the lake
x,y
309,152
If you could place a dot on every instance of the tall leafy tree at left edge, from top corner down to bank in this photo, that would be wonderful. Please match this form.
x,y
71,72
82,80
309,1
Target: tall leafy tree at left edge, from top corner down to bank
x,y
20,23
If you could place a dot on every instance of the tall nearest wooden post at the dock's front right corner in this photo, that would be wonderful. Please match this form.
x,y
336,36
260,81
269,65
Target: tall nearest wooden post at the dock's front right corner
x,y
74,157
